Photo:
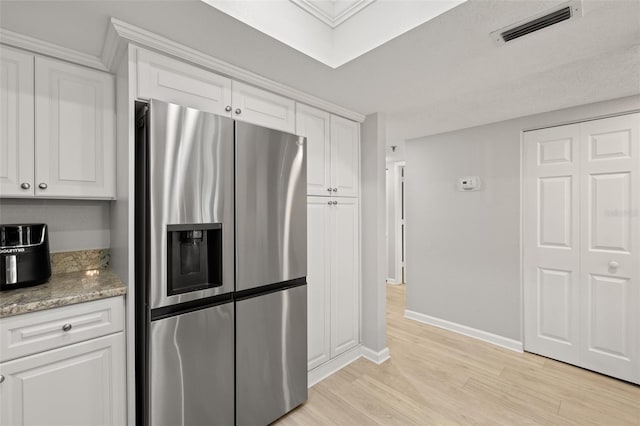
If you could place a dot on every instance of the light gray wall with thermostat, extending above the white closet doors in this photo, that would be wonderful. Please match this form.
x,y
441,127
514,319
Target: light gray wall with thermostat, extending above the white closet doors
x,y
463,249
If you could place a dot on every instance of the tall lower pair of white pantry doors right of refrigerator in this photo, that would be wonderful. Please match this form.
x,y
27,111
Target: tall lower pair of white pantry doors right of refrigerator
x,y
333,278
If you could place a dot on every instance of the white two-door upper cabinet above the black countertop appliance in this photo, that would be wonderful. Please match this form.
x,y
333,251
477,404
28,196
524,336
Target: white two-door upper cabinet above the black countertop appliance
x,y
59,123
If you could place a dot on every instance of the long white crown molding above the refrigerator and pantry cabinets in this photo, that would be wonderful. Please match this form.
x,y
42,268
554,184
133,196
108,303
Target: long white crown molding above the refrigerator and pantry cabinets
x,y
122,32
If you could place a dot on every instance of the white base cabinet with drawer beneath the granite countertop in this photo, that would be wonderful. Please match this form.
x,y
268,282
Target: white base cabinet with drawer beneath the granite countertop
x,y
71,383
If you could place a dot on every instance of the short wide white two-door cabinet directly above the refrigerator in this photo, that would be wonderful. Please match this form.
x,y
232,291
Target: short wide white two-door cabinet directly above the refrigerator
x,y
166,79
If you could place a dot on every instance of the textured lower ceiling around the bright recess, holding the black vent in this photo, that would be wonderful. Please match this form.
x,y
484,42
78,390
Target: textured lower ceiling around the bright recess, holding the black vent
x,y
444,75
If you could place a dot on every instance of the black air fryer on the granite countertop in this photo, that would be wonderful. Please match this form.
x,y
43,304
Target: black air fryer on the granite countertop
x,y
24,255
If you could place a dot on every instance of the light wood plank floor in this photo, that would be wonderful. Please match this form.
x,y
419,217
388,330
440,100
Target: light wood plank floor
x,y
438,377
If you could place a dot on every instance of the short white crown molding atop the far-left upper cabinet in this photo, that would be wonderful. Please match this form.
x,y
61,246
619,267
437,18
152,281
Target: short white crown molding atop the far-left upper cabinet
x,y
42,47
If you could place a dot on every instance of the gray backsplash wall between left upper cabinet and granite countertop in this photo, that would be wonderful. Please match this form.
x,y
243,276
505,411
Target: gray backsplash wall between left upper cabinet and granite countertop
x,y
73,224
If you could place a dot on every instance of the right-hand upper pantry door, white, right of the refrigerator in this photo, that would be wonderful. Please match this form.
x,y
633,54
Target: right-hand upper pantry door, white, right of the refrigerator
x,y
345,157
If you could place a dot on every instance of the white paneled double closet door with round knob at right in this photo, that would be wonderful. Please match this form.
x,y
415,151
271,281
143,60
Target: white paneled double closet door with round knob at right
x,y
582,270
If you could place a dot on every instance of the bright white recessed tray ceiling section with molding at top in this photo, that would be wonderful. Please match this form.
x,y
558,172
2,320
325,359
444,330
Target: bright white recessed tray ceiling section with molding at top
x,y
333,32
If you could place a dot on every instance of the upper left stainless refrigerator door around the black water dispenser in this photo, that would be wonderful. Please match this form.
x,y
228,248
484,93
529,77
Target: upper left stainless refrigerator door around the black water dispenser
x,y
190,181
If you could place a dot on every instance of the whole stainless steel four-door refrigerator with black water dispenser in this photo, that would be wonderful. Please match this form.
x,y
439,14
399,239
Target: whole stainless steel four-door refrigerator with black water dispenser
x,y
220,230
